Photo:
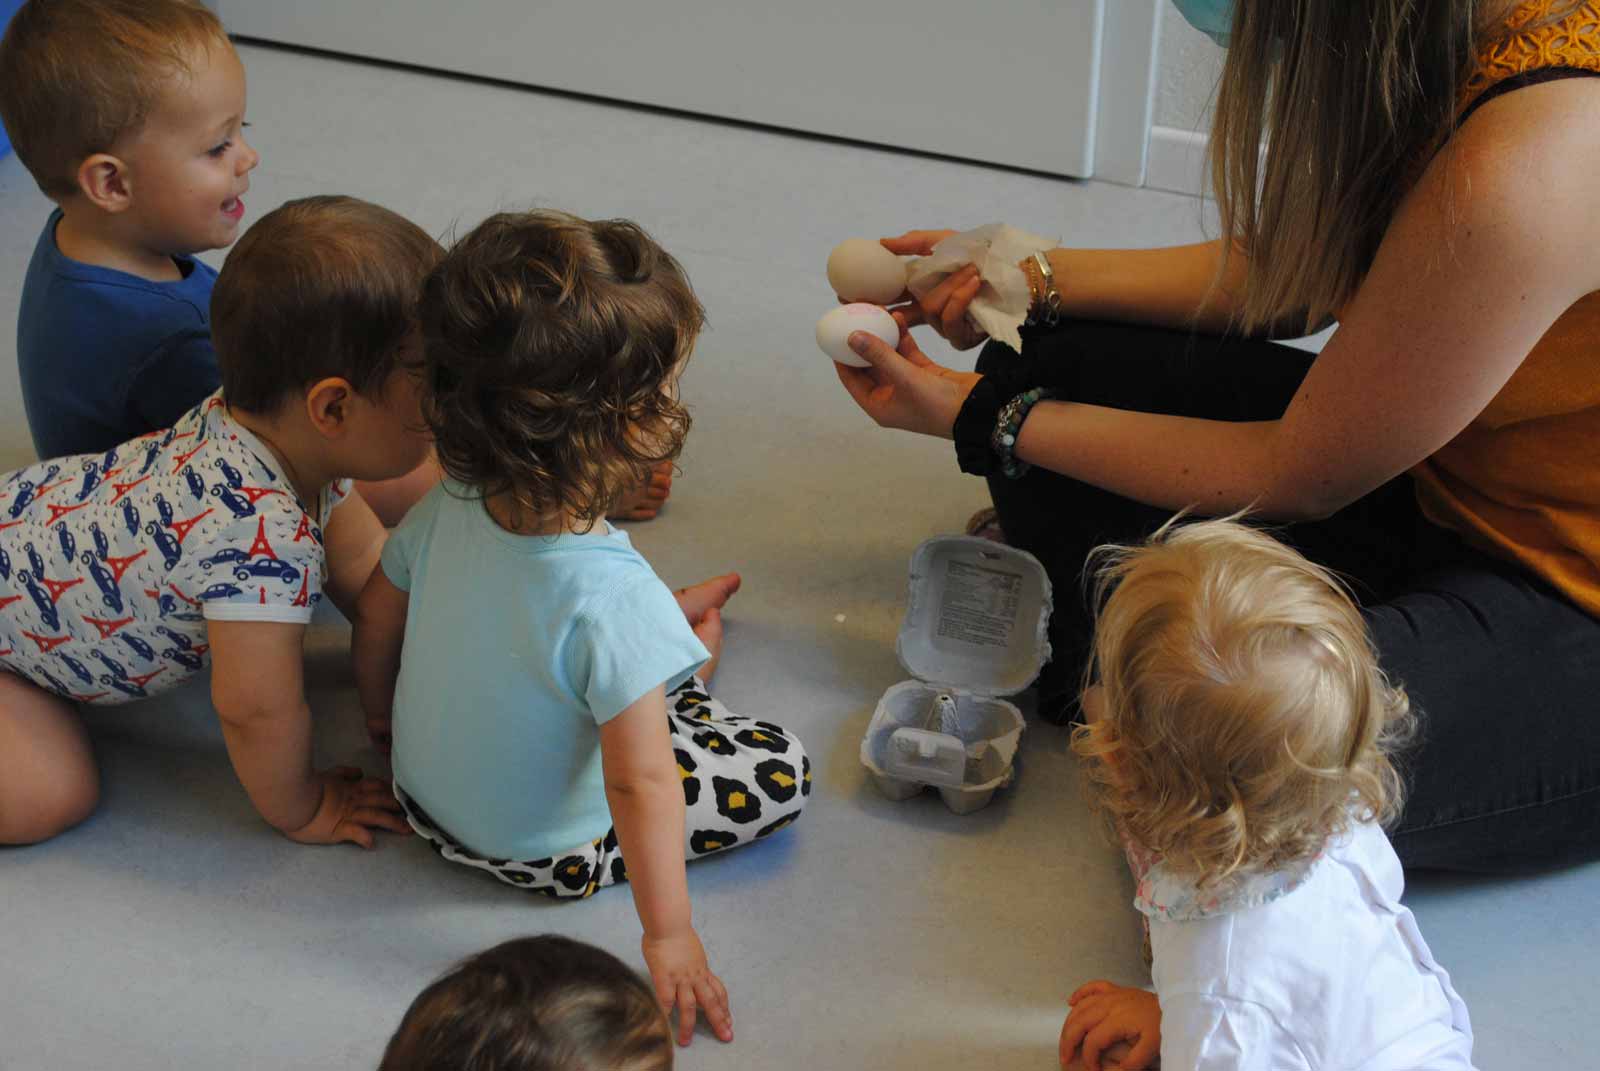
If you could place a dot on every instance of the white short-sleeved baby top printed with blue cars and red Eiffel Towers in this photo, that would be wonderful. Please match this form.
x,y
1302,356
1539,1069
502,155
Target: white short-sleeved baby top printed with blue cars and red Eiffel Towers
x,y
111,563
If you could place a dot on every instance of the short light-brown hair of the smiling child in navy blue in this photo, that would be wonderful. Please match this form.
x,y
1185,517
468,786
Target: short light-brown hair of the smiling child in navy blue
x,y
79,76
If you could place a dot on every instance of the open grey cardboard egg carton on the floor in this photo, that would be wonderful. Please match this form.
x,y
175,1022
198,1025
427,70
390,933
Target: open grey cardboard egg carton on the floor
x,y
977,628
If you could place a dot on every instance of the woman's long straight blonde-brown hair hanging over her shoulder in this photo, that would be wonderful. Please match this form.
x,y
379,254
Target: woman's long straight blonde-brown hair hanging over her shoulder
x,y
1350,97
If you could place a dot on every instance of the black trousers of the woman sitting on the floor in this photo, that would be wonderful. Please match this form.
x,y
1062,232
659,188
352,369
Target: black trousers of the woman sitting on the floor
x,y
1503,670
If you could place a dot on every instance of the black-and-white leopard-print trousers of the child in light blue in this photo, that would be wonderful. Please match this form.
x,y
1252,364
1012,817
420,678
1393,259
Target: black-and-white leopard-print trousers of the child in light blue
x,y
734,792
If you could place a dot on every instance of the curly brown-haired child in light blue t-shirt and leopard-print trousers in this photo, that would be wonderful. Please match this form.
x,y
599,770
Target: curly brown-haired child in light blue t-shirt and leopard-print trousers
x,y
548,724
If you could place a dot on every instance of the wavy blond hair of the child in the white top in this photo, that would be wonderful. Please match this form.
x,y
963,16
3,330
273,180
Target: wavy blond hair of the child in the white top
x,y
1247,720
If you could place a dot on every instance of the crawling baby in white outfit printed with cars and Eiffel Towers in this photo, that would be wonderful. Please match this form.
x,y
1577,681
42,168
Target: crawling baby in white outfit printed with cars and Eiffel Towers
x,y
126,572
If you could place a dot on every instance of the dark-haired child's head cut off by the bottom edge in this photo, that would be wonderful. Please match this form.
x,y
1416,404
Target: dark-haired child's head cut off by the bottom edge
x,y
535,1005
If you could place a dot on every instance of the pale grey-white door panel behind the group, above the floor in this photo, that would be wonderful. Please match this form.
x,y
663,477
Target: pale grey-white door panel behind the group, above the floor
x,y
1012,82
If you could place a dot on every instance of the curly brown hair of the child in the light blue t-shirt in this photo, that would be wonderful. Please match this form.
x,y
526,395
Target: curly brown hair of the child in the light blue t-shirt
x,y
551,351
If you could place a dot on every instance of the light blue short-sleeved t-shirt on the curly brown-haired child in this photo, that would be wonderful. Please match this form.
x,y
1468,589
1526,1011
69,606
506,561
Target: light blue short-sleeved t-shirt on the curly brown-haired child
x,y
518,649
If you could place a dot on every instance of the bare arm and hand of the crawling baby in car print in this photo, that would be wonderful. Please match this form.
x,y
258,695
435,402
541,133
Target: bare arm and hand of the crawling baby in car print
x,y
258,696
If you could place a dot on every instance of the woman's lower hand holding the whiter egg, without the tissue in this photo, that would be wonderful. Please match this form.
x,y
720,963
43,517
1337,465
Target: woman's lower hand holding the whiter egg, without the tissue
x,y
903,388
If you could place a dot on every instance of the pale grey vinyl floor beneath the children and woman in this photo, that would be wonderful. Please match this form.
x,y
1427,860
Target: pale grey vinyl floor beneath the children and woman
x,y
177,931
